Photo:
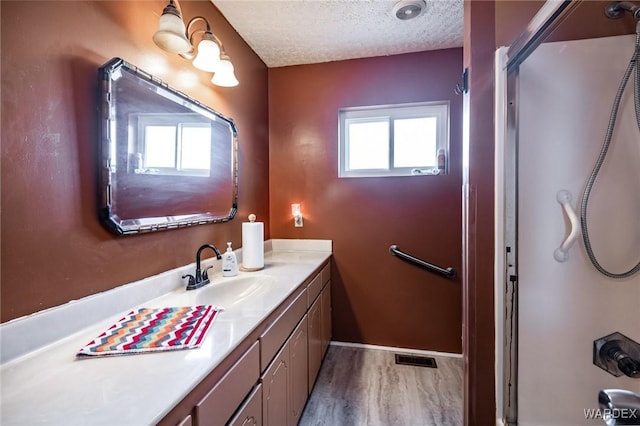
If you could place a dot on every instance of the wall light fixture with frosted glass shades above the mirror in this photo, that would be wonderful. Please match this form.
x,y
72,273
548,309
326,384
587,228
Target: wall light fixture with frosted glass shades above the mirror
x,y
173,37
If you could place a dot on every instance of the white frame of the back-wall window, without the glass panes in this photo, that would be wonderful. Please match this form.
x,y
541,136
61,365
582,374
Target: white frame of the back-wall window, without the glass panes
x,y
437,109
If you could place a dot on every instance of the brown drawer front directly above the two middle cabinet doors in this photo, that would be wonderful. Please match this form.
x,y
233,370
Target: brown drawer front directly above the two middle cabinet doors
x,y
273,338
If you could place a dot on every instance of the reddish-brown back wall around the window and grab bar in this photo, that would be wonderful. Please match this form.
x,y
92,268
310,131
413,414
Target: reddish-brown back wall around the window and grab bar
x,y
377,298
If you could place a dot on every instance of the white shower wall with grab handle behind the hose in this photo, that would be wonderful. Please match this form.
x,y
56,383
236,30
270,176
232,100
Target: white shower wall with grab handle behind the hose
x,y
565,97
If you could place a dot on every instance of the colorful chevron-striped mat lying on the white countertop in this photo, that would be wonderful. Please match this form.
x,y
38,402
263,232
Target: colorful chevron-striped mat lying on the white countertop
x,y
154,329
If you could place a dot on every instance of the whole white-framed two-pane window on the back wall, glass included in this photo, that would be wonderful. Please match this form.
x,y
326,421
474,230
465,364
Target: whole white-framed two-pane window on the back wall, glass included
x,y
399,140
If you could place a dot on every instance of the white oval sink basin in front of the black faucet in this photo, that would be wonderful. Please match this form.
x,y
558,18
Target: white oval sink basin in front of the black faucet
x,y
228,292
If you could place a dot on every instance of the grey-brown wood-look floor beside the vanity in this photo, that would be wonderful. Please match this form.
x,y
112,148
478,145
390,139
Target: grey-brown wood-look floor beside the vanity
x,y
366,387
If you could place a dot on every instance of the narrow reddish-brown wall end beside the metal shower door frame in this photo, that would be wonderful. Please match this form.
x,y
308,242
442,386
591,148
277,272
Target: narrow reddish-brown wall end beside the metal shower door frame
x,y
479,350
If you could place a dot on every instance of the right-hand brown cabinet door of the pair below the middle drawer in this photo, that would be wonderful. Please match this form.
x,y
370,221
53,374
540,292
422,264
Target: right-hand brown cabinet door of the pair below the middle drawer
x,y
299,372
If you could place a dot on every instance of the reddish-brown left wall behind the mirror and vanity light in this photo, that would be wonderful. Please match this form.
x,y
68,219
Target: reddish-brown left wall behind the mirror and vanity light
x,y
53,248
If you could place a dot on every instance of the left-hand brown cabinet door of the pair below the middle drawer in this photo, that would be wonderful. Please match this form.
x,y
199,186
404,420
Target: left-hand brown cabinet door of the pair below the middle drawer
x,y
275,390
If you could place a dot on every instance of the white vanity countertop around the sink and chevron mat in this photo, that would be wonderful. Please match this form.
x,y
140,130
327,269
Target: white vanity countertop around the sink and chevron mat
x,y
50,386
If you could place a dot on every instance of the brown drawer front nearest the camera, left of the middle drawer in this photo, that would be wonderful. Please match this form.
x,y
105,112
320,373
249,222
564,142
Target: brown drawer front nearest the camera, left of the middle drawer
x,y
223,399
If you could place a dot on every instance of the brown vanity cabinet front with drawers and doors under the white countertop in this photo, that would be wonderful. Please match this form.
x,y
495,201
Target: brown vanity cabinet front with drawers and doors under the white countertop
x,y
268,378
